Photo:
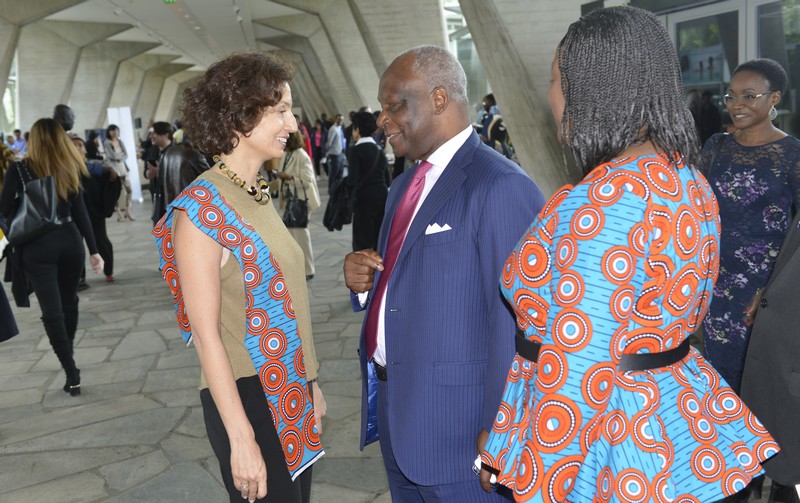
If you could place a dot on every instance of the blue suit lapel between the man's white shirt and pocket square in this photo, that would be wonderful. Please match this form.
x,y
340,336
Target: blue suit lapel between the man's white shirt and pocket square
x,y
448,184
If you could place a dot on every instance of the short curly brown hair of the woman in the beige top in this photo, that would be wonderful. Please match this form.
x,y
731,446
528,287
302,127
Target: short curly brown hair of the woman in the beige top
x,y
230,98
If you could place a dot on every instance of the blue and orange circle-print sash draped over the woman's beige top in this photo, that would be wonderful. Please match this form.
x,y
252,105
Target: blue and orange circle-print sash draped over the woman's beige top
x,y
271,338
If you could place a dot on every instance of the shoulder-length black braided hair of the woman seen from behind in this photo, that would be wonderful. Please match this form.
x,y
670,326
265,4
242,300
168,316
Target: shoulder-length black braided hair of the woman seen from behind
x,y
622,86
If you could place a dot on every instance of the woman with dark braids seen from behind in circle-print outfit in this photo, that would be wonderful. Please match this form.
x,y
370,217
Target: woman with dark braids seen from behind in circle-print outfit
x,y
605,399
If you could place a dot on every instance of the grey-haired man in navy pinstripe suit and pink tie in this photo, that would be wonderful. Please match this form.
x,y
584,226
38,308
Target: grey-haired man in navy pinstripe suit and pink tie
x,y
438,339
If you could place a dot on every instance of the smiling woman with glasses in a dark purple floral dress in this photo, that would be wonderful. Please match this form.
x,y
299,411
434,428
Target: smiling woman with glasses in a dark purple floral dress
x,y
756,178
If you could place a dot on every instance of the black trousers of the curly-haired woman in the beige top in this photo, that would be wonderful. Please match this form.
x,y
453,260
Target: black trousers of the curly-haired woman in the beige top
x,y
280,488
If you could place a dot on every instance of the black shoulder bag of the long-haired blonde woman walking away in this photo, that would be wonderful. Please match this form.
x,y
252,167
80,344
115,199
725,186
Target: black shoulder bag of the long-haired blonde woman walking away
x,y
37,209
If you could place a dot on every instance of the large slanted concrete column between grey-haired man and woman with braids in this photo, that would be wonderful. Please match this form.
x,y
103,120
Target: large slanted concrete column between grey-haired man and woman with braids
x,y
517,62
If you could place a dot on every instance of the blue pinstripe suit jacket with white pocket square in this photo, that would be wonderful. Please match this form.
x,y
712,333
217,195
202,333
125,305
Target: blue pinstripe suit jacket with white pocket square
x,y
449,334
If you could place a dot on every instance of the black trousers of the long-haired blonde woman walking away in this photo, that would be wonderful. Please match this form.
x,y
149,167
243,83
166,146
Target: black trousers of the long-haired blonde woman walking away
x,y
52,264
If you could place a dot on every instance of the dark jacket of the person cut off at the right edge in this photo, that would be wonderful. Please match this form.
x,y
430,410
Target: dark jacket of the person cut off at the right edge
x,y
771,380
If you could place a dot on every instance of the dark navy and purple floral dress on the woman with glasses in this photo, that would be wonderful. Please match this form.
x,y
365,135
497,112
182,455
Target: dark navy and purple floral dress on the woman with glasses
x,y
758,191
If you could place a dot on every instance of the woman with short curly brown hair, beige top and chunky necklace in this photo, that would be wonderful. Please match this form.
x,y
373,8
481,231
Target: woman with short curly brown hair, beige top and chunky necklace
x,y
238,282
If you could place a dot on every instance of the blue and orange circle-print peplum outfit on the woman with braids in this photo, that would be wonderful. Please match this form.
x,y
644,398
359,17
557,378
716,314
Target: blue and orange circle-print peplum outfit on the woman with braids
x,y
624,262
